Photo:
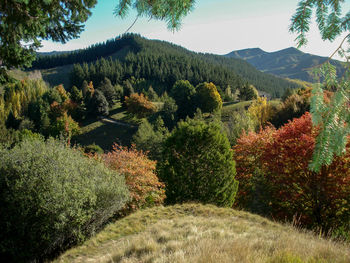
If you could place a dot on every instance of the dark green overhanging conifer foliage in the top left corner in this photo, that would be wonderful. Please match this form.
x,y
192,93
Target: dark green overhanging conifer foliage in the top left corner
x,y
23,24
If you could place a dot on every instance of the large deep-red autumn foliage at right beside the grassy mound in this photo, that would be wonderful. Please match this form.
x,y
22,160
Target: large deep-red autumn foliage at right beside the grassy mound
x,y
278,160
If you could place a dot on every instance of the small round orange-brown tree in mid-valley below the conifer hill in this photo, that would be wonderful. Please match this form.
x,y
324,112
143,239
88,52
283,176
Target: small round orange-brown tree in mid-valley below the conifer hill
x,y
139,105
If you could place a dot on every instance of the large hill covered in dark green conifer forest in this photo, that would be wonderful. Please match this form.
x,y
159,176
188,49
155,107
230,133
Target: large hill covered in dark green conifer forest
x,y
158,62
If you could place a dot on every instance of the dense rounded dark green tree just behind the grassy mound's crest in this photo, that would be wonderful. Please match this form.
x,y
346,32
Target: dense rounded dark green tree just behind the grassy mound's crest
x,y
198,165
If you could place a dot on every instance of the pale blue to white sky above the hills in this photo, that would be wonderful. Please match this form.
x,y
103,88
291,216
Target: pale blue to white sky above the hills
x,y
214,26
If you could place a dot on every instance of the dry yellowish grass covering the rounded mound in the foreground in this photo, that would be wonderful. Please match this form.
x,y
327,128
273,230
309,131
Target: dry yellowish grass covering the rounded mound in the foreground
x,y
198,233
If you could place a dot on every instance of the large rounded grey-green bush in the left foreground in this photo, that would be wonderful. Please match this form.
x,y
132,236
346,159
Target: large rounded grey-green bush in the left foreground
x,y
52,197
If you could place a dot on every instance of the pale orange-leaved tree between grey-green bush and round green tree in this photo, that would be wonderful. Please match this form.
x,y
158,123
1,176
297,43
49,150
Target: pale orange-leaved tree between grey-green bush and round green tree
x,y
139,171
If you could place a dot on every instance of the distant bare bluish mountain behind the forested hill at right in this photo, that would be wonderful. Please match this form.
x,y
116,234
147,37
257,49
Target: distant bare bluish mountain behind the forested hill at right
x,y
288,63
